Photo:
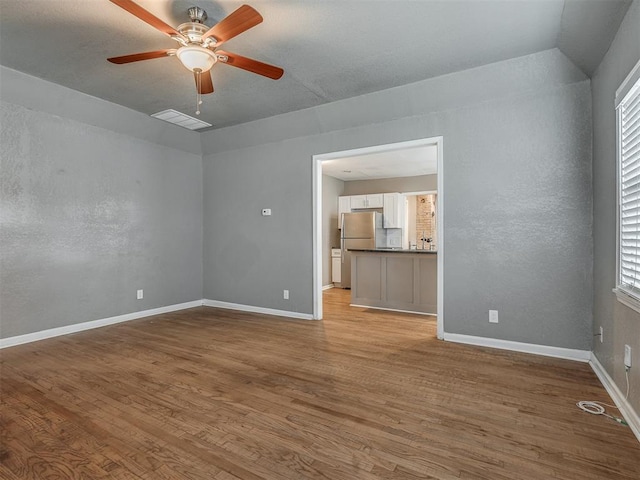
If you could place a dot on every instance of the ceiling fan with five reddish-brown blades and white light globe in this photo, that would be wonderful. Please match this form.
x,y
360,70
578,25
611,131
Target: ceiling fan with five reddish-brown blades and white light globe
x,y
199,44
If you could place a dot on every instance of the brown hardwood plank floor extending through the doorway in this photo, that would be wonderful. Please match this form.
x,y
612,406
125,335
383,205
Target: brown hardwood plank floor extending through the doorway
x,y
215,394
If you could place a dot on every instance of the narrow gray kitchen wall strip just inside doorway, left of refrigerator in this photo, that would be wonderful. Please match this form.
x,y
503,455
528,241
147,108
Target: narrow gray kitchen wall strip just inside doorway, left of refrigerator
x,y
332,188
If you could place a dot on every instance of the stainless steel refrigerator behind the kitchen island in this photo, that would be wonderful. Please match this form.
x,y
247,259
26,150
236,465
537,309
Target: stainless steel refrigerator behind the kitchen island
x,y
358,230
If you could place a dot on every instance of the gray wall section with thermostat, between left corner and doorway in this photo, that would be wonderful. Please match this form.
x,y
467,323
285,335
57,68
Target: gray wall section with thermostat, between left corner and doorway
x,y
250,259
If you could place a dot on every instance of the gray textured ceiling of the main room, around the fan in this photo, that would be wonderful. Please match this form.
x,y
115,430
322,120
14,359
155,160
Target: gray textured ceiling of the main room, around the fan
x,y
329,49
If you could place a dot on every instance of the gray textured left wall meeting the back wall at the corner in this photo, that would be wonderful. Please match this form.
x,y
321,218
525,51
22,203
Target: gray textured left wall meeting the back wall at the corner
x,y
90,215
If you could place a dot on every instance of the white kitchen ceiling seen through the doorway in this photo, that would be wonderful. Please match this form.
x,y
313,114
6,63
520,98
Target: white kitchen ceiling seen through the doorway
x,y
406,162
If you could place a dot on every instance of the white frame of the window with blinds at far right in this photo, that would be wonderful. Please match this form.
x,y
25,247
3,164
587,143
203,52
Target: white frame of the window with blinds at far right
x,y
629,91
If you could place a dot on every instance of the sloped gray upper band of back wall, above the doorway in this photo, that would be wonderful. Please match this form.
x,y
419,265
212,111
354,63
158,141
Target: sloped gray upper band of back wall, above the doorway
x,y
518,76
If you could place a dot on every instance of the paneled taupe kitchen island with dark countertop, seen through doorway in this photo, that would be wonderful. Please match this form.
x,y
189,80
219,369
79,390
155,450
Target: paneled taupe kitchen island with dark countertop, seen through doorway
x,y
394,279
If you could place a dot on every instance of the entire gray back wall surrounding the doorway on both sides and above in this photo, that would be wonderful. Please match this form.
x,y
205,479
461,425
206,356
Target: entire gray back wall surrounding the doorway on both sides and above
x,y
517,196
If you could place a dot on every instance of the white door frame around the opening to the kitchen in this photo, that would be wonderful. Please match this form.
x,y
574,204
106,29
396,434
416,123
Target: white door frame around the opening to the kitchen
x,y
317,217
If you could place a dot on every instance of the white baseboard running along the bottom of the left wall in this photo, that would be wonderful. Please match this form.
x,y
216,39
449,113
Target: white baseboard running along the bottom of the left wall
x,y
79,327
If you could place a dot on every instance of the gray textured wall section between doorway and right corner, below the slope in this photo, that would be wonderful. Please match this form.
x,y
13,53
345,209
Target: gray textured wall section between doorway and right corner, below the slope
x,y
517,219
